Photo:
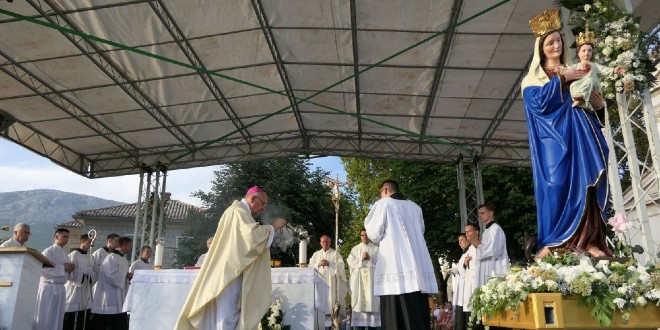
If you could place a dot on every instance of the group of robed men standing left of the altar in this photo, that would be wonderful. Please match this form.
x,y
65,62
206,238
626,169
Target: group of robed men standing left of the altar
x,y
83,290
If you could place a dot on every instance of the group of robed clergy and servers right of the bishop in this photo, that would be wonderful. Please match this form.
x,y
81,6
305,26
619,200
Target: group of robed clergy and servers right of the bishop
x,y
391,275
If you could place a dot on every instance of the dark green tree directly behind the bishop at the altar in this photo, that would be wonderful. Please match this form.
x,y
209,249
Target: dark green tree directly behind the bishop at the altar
x,y
295,193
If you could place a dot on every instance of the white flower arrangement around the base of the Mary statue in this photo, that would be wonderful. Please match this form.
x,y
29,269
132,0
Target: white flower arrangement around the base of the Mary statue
x,y
605,286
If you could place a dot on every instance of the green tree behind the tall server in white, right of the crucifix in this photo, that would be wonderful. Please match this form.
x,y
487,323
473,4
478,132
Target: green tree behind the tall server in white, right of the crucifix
x,y
433,186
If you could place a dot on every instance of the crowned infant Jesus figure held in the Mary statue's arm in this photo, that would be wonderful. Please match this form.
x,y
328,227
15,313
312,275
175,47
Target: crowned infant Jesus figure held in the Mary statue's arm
x,y
581,89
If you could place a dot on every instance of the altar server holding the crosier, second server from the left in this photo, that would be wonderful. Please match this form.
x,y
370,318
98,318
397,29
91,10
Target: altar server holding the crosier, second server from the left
x,y
79,288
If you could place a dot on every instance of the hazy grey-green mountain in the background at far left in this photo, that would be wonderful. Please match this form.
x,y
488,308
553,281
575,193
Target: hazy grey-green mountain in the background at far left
x,y
42,209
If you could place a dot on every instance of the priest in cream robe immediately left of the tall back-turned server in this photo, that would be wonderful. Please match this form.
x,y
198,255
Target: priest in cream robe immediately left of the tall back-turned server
x,y
362,263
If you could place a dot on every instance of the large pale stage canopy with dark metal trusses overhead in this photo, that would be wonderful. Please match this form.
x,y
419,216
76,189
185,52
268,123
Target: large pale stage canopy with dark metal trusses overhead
x,y
105,88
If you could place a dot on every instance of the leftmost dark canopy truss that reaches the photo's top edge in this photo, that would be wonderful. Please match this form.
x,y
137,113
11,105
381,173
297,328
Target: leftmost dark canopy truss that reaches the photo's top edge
x,y
113,70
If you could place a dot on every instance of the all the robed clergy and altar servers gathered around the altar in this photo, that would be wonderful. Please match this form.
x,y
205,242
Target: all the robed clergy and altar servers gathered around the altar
x,y
386,282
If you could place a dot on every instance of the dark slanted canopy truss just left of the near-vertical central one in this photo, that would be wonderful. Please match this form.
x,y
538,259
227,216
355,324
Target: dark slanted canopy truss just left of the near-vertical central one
x,y
272,45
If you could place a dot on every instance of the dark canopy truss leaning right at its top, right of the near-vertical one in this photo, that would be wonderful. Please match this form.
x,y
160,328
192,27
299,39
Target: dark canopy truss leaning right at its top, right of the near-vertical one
x,y
447,41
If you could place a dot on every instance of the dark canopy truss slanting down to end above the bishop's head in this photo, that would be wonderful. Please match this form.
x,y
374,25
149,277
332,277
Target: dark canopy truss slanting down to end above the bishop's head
x,y
170,24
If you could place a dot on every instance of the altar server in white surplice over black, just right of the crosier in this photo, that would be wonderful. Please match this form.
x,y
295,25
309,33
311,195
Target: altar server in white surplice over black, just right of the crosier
x,y
111,289
